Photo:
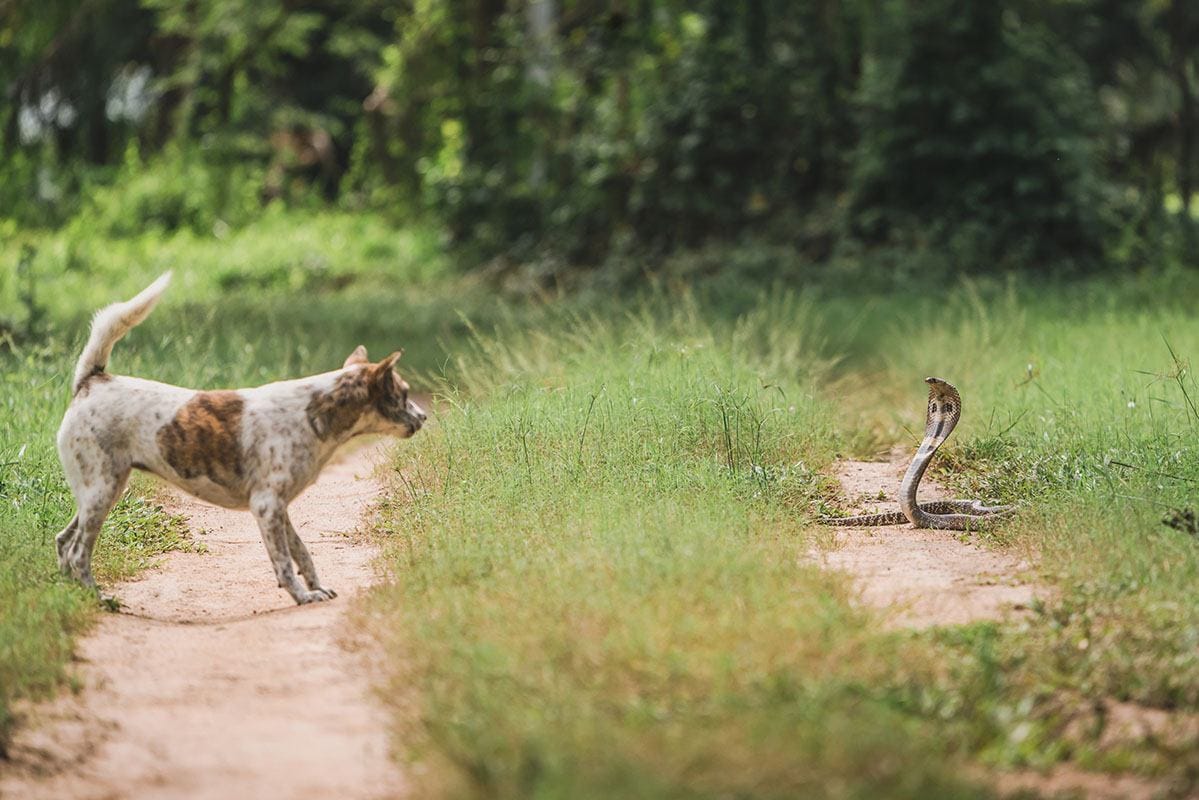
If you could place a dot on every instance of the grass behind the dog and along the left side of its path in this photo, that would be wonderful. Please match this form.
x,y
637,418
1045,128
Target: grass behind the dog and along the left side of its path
x,y
286,297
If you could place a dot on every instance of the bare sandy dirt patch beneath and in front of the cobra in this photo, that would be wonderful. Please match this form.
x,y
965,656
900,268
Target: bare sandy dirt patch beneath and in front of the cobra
x,y
919,579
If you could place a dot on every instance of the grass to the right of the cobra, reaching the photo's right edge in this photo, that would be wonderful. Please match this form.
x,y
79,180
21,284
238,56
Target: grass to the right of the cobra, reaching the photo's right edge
x,y
1082,405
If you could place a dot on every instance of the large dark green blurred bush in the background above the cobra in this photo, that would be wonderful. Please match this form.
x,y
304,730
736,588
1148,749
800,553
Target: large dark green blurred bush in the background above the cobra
x,y
977,140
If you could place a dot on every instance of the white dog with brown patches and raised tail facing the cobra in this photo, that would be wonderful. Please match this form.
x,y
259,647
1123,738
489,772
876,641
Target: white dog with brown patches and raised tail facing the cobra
x,y
246,449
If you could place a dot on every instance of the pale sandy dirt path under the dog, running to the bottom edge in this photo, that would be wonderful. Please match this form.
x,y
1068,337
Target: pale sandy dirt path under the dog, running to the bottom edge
x,y
212,684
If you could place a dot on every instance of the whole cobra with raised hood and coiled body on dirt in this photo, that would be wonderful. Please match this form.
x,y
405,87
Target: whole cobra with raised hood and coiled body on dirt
x,y
944,412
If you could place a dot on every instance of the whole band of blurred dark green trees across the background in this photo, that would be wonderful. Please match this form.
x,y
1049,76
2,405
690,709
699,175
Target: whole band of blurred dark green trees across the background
x,y
1046,136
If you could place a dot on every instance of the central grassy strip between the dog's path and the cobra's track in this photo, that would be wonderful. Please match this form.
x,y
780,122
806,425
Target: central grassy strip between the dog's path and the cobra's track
x,y
601,588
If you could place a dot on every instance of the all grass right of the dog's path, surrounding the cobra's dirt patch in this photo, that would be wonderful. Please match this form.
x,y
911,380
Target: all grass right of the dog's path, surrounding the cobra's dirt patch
x,y
600,588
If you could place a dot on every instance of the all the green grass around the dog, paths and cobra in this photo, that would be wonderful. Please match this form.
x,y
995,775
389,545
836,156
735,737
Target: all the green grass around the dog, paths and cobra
x,y
599,552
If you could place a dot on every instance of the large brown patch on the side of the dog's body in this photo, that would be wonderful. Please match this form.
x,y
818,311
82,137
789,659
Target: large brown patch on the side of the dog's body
x,y
204,440
